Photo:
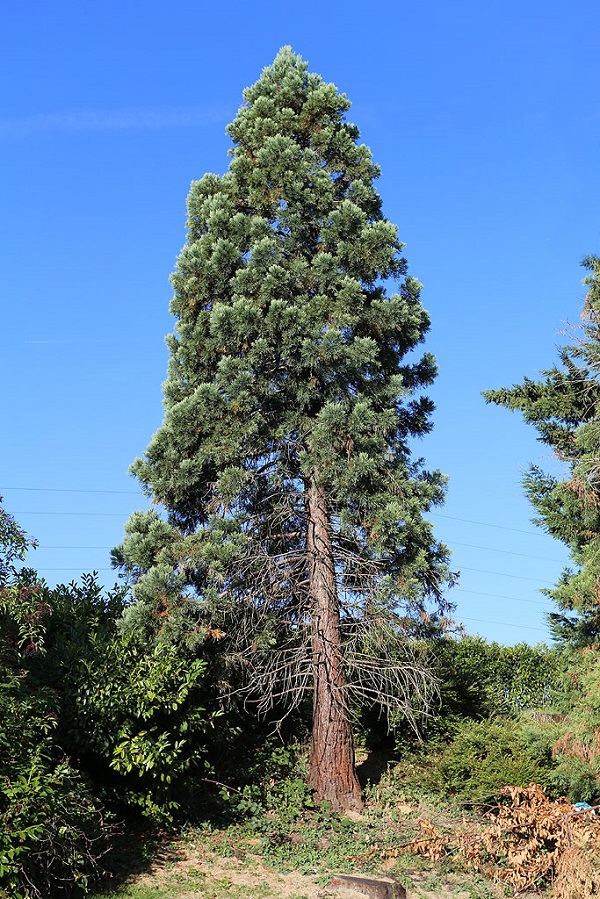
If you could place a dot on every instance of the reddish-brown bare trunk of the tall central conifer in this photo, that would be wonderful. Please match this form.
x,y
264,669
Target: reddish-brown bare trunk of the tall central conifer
x,y
332,771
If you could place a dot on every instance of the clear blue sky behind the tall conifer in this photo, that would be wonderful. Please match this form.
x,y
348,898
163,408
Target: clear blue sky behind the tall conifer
x,y
485,121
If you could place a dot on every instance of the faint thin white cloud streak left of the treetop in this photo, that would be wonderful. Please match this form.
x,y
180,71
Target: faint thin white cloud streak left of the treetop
x,y
126,119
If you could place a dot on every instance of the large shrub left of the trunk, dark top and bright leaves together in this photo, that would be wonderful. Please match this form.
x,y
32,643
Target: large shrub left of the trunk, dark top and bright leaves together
x,y
132,712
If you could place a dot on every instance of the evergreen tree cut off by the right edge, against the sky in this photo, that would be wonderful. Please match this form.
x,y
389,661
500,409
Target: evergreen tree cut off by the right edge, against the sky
x,y
564,407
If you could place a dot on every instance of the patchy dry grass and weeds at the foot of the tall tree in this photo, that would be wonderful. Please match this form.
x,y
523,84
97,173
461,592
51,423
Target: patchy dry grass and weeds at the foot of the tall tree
x,y
291,852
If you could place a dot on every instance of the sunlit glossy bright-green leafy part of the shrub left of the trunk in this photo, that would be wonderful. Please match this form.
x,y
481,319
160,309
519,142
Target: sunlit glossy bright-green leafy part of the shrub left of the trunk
x,y
141,712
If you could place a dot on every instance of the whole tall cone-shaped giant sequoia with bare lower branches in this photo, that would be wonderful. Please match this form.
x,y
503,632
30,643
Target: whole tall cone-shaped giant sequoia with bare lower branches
x,y
295,530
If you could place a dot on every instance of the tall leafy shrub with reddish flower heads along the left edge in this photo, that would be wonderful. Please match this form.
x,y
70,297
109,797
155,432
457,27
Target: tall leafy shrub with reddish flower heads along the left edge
x,y
52,832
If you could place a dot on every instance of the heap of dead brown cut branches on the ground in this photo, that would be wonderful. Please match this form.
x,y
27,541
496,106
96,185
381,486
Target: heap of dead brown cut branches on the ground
x,y
529,843
